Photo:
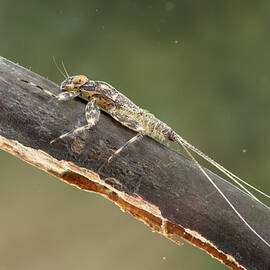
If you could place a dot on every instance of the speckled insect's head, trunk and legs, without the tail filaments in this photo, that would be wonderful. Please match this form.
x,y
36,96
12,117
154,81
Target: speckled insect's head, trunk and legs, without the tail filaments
x,y
102,95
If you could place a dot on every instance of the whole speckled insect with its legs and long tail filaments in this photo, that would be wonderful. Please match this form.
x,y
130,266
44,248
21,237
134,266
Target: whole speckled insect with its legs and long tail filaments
x,y
101,95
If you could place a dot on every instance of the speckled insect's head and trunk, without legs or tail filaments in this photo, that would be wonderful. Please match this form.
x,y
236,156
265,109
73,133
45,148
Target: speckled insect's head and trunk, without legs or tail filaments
x,y
118,106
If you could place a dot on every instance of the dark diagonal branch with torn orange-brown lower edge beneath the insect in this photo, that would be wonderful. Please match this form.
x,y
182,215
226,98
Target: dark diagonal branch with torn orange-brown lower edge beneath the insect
x,y
153,183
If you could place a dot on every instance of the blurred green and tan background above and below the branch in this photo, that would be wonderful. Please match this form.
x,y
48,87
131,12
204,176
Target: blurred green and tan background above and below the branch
x,y
200,66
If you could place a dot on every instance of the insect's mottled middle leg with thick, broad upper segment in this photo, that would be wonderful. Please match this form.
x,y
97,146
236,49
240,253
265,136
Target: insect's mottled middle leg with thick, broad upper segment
x,y
92,113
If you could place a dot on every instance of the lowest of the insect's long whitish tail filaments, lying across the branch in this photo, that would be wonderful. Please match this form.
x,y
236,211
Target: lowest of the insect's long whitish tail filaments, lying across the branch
x,y
181,142
